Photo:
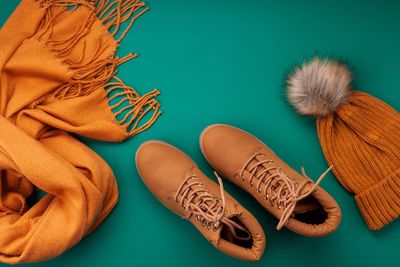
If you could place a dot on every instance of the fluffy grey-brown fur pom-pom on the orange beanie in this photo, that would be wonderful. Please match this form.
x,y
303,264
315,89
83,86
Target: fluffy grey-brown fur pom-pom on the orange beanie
x,y
319,87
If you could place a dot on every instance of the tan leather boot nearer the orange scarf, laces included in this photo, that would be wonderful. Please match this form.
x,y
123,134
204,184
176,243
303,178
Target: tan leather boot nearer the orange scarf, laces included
x,y
176,181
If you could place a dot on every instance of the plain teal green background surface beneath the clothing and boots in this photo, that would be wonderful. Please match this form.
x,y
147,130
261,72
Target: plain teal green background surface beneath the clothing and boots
x,y
224,61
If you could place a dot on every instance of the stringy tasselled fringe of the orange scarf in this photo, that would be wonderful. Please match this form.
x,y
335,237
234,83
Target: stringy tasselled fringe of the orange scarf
x,y
92,74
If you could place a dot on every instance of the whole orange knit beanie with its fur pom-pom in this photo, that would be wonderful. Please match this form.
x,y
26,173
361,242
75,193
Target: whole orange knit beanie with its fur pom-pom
x,y
359,135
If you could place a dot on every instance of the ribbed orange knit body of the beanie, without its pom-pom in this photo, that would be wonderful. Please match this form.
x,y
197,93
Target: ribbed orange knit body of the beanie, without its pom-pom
x,y
362,141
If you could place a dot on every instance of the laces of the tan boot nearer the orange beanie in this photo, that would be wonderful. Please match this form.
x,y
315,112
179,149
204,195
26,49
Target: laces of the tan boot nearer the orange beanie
x,y
276,186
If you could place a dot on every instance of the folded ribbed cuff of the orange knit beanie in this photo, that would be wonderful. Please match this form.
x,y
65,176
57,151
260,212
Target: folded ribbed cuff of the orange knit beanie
x,y
380,204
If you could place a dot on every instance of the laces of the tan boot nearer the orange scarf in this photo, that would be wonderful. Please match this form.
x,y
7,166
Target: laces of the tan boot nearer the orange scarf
x,y
209,210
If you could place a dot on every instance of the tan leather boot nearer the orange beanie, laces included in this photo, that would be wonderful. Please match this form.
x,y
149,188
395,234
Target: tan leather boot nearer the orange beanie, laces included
x,y
299,204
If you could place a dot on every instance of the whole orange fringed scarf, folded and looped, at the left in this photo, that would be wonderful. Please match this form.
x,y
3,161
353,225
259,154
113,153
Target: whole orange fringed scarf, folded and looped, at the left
x,y
57,76
